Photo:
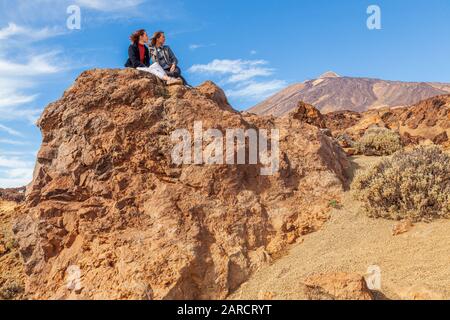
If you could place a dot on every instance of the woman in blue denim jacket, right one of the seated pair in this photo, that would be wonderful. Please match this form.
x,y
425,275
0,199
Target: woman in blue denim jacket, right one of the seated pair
x,y
162,54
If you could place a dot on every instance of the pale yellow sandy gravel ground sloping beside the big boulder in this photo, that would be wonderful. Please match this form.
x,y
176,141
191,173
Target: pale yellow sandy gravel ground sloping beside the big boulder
x,y
414,262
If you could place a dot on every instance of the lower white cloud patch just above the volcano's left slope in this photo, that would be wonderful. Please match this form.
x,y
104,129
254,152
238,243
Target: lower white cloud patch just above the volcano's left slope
x,y
257,90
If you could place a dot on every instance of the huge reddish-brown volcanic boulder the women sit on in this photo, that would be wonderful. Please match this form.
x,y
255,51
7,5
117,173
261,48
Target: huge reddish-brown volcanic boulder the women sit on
x,y
108,215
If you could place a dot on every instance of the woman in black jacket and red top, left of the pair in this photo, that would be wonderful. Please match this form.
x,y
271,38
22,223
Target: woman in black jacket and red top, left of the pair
x,y
139,58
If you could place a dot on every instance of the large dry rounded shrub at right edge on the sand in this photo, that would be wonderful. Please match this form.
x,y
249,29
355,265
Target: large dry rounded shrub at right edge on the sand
x,y
414,185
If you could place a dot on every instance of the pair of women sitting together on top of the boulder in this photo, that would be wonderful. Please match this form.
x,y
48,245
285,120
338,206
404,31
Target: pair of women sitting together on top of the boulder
x,y
164,64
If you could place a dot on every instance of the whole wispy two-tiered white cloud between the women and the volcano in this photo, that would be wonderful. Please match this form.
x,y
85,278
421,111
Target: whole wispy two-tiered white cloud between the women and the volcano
x,y
244,76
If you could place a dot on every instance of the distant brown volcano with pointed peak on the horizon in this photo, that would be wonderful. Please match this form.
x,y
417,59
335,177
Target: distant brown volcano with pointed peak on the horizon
x,y
331,92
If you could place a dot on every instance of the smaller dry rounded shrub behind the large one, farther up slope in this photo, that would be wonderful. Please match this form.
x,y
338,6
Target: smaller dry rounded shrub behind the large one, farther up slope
x,y
379,142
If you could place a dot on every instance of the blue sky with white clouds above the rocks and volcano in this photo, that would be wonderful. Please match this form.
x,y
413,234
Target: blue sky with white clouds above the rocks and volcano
x,y
251,48
